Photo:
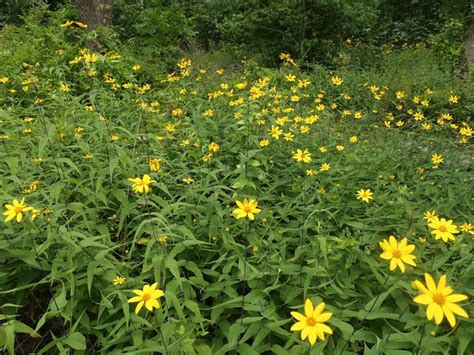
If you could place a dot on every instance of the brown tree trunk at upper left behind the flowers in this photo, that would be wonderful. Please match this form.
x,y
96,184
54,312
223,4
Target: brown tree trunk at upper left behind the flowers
x,y
95,13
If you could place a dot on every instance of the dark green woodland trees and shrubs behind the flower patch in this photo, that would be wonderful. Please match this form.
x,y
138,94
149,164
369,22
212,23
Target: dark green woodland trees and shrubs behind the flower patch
x,y
323,31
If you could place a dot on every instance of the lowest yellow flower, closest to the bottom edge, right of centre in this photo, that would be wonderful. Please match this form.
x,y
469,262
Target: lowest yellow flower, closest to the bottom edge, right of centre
x,y
311,323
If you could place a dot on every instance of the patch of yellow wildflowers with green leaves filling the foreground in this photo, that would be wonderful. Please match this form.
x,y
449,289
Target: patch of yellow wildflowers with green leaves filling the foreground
x,y
206,210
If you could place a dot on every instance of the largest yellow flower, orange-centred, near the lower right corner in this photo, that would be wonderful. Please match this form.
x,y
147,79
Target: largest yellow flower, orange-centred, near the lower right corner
x,y
440,300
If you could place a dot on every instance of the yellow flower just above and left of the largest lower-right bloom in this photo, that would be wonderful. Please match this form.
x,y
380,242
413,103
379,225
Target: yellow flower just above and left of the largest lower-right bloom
x,y
397,253
